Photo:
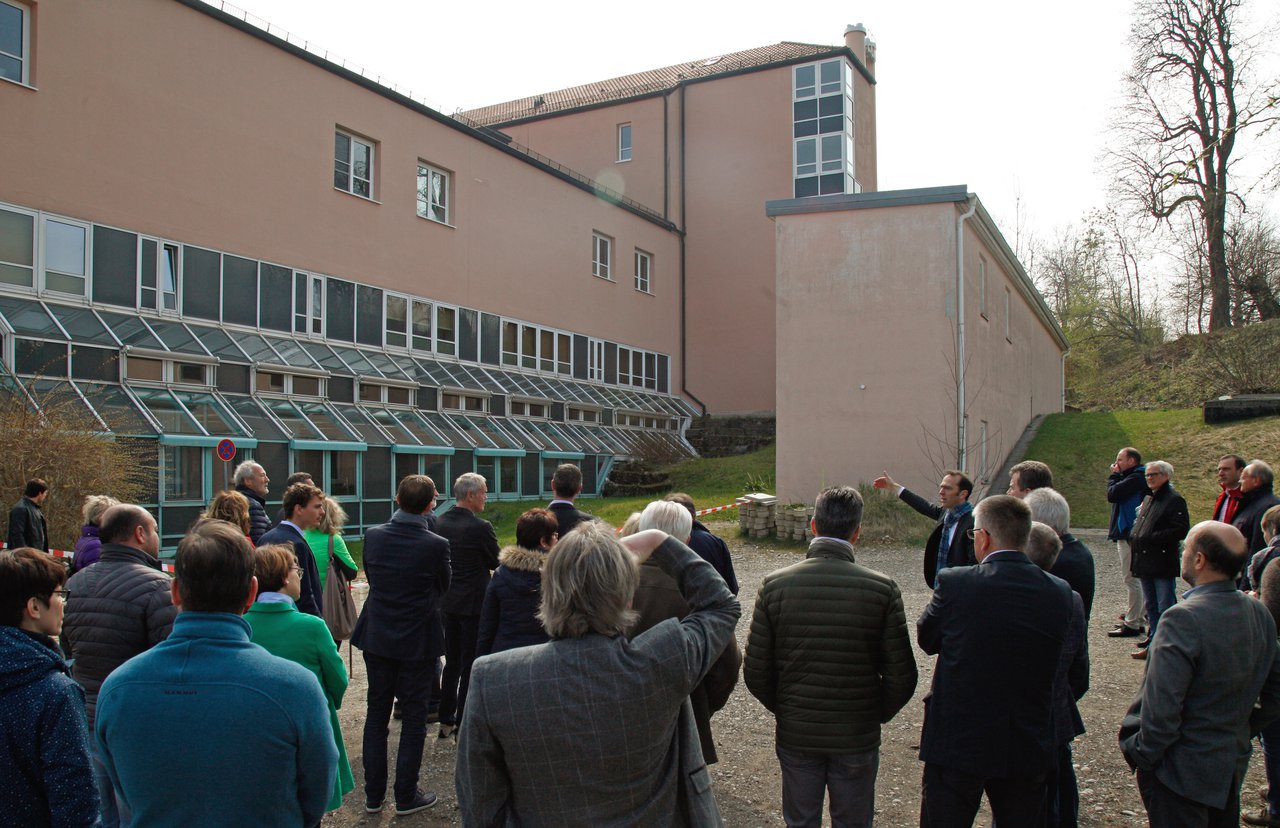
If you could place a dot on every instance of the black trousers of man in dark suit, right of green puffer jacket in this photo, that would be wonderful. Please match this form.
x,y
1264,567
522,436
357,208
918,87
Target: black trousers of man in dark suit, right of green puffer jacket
x,y
952,799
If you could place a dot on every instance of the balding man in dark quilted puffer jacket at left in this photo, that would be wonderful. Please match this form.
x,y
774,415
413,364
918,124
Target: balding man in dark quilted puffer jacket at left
x,y
118,609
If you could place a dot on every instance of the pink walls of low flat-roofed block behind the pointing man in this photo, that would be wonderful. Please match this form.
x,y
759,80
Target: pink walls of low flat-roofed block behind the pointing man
x,y
866,322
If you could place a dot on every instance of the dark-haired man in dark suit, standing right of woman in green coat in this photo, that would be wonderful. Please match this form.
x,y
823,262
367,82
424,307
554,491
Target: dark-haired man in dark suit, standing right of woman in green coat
x,y
400,635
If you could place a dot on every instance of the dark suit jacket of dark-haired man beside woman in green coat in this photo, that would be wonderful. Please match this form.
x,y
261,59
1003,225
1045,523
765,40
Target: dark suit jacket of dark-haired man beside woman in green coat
x,y
409,573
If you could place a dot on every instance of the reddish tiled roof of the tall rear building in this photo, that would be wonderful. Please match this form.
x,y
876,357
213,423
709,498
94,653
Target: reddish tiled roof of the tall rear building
x,y
642,83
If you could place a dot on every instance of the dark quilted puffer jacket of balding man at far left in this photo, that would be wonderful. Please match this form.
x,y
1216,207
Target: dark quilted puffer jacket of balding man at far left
x,y
120,607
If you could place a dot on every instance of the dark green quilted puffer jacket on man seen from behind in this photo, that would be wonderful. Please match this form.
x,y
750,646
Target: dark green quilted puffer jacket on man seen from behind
x,y
830,655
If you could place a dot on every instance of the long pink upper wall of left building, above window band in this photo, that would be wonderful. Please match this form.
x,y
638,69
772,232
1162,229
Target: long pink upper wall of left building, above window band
x,y
158,118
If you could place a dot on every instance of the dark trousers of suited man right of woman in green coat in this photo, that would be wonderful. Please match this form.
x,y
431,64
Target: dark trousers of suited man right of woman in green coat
x,y
392,679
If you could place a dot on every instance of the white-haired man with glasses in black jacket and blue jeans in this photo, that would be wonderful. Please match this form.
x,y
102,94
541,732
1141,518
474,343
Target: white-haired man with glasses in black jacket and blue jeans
x,y
1156,541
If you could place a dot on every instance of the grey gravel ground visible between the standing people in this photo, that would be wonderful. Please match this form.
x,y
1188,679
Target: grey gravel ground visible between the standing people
x,y
747,780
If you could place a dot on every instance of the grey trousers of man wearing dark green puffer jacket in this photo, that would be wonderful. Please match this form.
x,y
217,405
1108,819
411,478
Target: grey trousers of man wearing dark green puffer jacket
x,y
849,777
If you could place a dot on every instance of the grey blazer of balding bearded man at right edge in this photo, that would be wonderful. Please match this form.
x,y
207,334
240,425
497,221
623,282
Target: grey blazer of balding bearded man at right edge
x,y
1213,657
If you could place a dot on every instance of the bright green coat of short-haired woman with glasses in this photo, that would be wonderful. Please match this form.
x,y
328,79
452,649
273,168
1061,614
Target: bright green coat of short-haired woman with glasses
x,y
284,632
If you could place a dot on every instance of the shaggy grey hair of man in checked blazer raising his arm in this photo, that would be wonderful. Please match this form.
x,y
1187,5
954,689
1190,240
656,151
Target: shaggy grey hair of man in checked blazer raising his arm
x,y
589,580
